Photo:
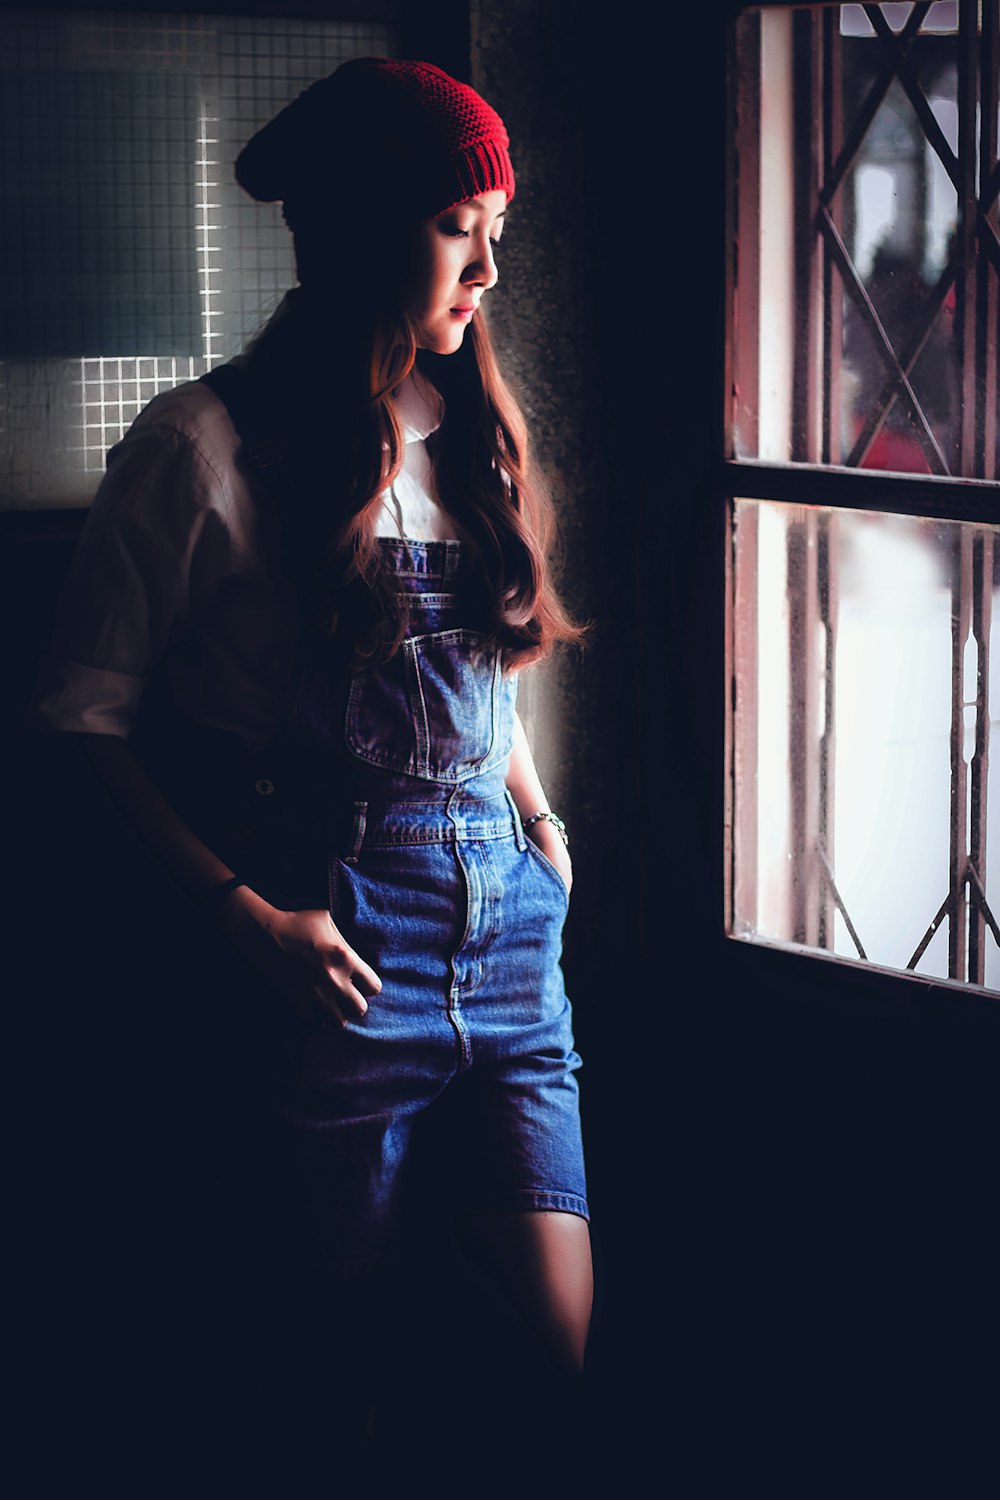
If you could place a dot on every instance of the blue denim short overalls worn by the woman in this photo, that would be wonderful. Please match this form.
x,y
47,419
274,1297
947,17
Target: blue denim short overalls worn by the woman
x,y
389,791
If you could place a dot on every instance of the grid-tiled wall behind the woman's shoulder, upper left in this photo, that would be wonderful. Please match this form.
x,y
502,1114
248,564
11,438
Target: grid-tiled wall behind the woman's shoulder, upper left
x,y
130,259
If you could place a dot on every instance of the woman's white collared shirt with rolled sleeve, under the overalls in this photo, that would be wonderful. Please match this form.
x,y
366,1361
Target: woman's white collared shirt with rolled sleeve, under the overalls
x,y
178,572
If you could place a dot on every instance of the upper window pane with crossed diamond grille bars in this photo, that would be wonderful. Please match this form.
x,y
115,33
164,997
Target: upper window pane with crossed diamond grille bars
x,y
867,251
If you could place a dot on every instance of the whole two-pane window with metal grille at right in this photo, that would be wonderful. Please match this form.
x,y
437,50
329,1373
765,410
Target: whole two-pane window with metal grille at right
x,y
864,464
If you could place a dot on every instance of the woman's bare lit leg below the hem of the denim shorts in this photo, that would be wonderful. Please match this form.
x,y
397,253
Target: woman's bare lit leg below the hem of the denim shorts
x,y
543,1262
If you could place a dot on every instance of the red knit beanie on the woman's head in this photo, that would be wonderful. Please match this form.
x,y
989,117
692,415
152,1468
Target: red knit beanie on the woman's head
x,y
379,131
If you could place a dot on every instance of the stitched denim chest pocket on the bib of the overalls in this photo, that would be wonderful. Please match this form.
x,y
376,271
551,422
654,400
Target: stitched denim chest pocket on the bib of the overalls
x,y
440,709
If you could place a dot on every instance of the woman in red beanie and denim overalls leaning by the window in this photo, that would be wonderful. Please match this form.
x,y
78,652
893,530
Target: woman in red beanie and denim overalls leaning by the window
x,y
292,644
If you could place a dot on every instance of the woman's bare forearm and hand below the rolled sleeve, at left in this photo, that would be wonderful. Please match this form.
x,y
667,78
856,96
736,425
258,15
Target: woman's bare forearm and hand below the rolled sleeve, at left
x,y
302,955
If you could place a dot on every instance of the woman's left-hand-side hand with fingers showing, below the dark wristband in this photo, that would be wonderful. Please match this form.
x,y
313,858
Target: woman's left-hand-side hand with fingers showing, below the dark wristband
x,y
304,955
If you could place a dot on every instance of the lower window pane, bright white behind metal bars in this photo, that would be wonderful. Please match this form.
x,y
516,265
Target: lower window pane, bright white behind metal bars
x,y
867,737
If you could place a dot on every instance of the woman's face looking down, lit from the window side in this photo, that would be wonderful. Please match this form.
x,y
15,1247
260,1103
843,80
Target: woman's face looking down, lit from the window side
x,y
454,268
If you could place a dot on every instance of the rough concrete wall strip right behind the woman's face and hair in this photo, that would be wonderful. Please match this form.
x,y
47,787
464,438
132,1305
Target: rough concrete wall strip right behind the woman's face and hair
x,y
524,62
